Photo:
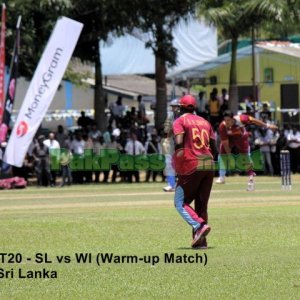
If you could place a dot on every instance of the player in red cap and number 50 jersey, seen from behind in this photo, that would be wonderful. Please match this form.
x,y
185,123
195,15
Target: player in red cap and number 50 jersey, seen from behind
x,y
194,150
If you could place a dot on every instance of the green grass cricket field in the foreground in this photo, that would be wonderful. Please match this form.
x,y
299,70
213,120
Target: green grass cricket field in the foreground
x,y
253,253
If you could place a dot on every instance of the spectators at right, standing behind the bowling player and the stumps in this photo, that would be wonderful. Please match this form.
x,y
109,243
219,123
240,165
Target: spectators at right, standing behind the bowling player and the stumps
x,y
269,142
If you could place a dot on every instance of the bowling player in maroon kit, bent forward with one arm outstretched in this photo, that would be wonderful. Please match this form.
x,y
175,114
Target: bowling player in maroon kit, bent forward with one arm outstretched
x,y
233,134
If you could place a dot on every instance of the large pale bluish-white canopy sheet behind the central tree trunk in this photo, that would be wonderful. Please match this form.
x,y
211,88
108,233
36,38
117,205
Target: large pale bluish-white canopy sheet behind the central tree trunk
x,y
194,41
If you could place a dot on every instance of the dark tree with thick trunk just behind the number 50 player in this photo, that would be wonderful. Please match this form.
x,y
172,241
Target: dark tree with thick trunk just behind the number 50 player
x,y
159,18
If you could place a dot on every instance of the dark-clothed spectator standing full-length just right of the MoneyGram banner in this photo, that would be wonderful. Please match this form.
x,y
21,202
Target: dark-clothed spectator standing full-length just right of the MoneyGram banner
x,y
40,155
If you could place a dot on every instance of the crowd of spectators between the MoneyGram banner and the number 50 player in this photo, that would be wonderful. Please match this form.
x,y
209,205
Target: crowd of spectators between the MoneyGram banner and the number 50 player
x,y
127,132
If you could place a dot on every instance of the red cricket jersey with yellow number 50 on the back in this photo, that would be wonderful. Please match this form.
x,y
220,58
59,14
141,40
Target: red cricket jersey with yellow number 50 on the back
x,y
197,133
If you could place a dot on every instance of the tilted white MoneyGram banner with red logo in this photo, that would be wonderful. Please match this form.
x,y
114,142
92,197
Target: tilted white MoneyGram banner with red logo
x,y
42,88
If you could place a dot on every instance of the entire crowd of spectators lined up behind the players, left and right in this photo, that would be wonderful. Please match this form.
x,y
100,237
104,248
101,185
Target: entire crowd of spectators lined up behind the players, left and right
x,y
129,133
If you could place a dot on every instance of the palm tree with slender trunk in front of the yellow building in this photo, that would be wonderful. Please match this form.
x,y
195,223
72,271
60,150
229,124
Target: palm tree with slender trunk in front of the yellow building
x,y
235,18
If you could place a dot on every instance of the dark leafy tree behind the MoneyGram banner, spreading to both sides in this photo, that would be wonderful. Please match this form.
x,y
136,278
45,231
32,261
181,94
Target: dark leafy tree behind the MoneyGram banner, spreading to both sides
x,y
38,18
